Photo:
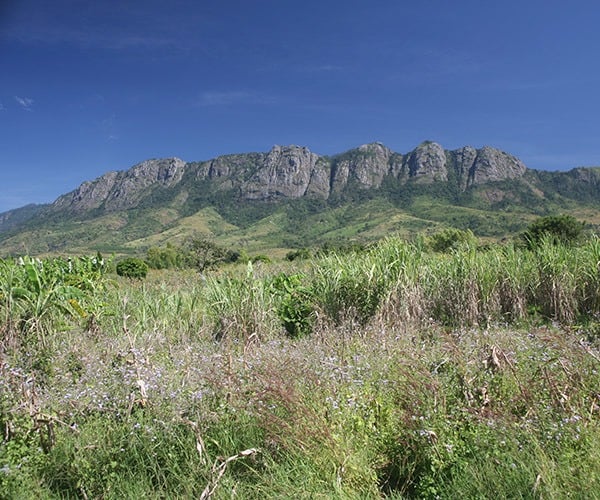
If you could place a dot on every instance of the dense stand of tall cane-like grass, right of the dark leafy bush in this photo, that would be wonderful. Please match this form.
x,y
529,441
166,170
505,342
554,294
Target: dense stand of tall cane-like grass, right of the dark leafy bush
x,y
461,288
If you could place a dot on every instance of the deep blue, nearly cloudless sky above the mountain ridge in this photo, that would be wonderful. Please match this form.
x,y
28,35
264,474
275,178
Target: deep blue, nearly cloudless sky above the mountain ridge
x,y
92,86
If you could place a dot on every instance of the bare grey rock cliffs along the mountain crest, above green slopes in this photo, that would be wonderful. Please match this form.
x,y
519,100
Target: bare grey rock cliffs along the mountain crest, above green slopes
x,y
288,172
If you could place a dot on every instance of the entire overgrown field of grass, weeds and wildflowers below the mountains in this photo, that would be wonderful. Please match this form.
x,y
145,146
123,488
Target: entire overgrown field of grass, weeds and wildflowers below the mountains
x,y
394,371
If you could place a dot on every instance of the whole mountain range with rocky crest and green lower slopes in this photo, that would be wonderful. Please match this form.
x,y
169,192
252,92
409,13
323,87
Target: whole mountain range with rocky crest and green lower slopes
x,y
291,197
